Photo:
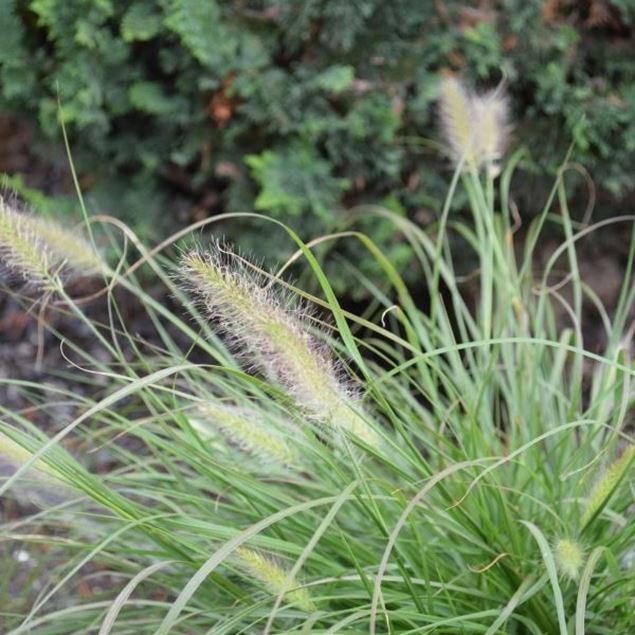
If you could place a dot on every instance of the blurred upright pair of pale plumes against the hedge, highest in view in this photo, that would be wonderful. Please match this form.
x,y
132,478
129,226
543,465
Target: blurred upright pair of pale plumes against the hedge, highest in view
x,y
475,126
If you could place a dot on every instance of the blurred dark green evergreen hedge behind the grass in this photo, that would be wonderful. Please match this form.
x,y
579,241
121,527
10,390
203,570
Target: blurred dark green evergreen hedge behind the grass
x,y
307,109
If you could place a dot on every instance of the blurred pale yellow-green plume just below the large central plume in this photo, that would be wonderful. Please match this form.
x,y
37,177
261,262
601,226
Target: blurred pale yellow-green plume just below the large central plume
x,y
242,427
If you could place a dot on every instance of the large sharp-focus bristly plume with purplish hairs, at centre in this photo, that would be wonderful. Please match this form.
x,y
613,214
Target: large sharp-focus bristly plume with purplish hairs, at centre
x,y
275,337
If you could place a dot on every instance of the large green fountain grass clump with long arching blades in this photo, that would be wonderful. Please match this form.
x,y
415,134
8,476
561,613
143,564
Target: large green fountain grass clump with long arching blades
x,y
239,467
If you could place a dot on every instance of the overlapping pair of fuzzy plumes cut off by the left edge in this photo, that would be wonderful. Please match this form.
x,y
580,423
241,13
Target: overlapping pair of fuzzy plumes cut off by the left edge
x,y
38,249
